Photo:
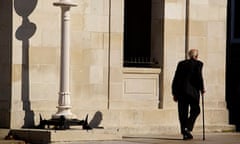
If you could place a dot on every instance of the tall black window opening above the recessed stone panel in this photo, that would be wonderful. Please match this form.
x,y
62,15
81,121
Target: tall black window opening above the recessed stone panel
x,y
137,34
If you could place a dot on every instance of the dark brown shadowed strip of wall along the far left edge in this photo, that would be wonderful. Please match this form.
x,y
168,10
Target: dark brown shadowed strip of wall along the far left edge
x,y
5,61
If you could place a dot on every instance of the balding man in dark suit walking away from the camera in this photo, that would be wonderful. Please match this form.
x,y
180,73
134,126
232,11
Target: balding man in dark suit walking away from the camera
x,y
186,88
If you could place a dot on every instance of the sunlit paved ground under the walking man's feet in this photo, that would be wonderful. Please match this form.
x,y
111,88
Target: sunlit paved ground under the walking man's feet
x,y
211,138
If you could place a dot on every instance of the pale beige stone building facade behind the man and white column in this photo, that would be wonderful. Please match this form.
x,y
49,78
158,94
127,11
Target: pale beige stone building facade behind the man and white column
x,y
134,99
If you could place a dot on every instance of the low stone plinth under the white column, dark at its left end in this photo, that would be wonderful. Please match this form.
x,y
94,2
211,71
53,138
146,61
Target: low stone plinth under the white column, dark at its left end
x,y
38,136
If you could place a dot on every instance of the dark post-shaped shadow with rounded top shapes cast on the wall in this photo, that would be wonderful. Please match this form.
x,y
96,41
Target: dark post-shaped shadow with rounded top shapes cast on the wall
x,y
24,32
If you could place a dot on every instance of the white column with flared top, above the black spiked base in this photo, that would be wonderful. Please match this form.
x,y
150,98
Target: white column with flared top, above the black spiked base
x,y
64,103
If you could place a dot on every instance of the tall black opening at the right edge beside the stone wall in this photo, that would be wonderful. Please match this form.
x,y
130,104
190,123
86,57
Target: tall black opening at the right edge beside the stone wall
x,y
233,63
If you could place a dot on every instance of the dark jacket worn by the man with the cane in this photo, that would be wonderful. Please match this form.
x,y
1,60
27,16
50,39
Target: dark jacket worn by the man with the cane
x,y
188,79
